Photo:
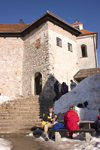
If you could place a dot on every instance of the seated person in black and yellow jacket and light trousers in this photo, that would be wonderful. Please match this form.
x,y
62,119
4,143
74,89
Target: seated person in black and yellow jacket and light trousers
x,y
49,119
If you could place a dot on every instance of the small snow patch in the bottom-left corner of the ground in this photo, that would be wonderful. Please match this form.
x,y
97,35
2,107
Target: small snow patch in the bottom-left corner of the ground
x,y
5,145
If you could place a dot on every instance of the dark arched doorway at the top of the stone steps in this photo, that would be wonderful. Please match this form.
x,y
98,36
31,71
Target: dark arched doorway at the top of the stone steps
x,y
38,83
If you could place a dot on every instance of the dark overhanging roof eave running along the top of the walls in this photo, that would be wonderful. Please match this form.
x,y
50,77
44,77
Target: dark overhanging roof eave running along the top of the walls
x,y
46,17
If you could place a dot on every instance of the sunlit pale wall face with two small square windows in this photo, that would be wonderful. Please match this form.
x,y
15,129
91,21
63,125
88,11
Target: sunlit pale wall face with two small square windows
x,y
63,63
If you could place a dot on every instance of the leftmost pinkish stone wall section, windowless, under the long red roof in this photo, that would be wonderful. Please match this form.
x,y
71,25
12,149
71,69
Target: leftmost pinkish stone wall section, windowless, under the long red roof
x,y
11,57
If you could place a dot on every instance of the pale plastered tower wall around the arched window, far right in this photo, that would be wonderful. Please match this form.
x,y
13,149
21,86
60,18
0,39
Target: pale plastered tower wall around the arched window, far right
x,y
86,62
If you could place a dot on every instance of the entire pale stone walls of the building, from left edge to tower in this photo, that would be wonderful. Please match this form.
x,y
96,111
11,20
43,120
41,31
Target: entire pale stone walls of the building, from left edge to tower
x,y
37,52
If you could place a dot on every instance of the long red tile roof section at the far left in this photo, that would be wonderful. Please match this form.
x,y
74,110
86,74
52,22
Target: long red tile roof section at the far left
x,y
13,27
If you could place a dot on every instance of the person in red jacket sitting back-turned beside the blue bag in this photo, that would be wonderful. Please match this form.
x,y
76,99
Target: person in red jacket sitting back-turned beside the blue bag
x,y
71,118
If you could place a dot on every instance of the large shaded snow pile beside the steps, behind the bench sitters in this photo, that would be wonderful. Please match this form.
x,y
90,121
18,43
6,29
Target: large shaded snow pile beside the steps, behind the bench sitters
x,y
86,90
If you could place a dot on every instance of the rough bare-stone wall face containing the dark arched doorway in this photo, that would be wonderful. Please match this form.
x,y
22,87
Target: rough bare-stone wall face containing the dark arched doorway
x,y
36,59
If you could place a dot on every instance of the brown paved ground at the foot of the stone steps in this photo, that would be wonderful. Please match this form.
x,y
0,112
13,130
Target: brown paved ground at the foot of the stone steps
x,y
30,143
